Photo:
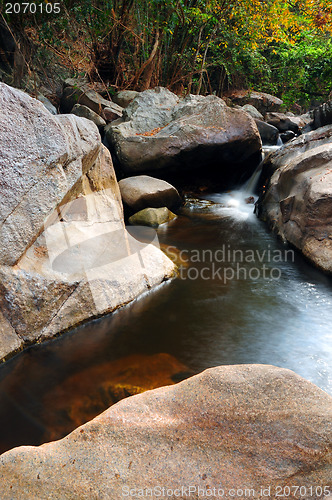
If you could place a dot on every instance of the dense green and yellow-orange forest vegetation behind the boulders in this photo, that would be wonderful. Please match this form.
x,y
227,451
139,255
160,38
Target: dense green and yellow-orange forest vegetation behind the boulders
x,y
279,46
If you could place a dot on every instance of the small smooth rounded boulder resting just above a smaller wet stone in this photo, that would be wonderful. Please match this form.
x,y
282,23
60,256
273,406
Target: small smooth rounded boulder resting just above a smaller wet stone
x,y
143,191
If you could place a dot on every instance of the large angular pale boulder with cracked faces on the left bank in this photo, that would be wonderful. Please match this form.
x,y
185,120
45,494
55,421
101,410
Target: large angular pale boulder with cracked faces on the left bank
x,y
65,255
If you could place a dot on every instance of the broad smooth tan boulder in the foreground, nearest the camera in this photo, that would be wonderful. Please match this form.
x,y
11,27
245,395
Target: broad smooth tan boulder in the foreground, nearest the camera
x,y
231,427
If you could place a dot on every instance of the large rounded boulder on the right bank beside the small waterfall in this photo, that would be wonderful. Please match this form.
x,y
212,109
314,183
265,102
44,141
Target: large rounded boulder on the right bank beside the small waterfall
x,y
297,202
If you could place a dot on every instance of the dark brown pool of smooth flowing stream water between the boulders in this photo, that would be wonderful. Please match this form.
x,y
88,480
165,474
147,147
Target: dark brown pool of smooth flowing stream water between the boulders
x,y
241,297
